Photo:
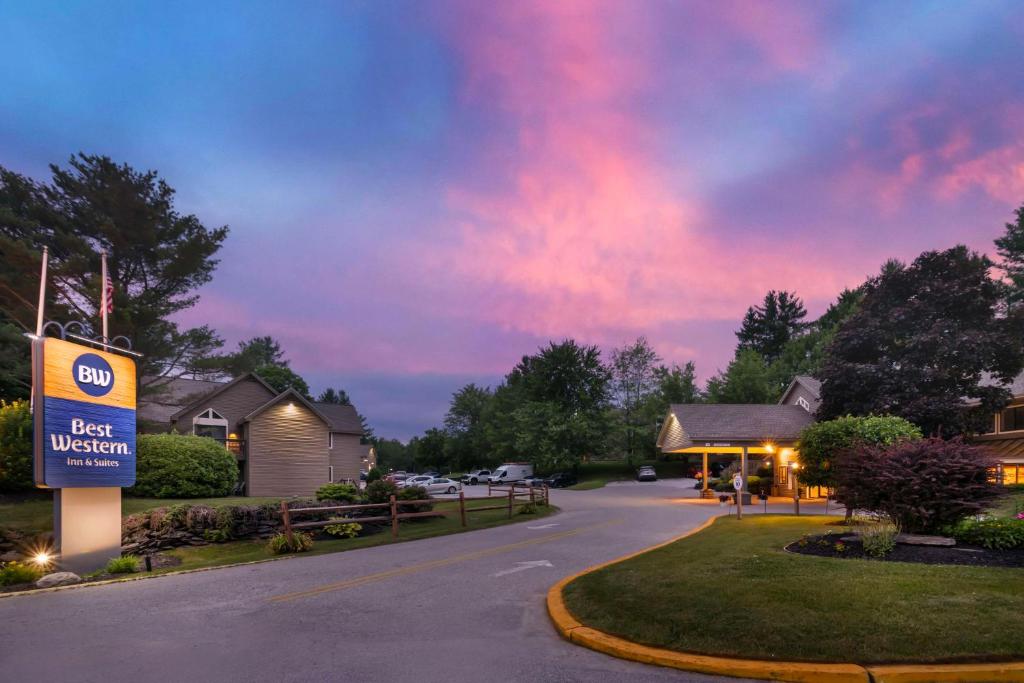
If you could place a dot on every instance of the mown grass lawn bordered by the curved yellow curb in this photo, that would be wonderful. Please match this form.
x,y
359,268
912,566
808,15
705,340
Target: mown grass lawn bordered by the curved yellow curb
x,y
733,590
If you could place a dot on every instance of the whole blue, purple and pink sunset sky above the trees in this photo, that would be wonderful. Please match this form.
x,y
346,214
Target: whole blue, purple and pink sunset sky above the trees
x,y
421,193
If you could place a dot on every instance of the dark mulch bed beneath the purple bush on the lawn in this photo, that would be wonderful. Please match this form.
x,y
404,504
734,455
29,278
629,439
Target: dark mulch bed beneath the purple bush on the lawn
x,y
826,546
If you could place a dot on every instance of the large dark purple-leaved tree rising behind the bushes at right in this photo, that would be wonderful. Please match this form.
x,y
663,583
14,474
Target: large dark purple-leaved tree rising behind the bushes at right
x,y
926,337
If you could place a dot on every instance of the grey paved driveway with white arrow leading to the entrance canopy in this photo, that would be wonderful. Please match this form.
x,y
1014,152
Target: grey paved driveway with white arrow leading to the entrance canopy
x,y
456,609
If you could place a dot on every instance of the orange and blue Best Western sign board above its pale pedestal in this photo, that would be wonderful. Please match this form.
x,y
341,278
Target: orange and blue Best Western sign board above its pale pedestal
x,y
84,416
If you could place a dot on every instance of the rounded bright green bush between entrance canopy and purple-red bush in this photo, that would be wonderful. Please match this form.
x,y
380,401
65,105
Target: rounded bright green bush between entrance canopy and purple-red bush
x,y
823,442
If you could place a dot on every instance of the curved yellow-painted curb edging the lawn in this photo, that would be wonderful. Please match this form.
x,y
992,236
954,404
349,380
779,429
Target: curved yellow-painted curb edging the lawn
x,y
798,672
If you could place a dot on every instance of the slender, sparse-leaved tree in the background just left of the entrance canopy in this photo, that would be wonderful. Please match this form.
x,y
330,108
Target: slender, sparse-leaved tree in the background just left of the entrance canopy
x,y
634,380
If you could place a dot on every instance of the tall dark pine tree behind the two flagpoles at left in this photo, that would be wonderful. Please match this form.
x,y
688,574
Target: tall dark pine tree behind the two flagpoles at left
x,y
158,260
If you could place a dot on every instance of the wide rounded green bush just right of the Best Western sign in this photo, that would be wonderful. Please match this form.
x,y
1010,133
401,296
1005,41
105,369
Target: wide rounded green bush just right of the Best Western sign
x,y
183,466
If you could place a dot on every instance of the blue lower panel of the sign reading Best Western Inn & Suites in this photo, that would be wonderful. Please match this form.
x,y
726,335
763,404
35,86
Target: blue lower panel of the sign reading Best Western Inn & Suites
x,y
87,445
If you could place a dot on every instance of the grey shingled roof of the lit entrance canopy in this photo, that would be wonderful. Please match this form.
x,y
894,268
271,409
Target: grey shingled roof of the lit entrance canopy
x,y
697,423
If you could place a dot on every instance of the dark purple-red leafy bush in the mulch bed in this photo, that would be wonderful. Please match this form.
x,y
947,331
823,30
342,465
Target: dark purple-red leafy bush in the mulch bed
x,y
920,486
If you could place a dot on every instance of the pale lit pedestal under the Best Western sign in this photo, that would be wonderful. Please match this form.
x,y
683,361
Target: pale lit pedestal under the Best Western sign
x,y
88,527
